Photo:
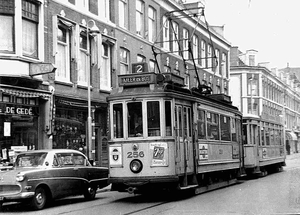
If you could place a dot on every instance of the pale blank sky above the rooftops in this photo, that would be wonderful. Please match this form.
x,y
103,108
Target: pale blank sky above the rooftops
x,y
271,27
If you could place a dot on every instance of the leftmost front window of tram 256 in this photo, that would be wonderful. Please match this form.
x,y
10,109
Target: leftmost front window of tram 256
x,y
118,121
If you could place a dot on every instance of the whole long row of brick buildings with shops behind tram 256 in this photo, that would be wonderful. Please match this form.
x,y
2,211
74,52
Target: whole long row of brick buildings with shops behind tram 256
x,y
51,53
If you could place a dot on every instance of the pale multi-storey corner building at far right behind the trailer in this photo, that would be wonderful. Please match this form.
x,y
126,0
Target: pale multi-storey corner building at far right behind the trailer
x,y
267,95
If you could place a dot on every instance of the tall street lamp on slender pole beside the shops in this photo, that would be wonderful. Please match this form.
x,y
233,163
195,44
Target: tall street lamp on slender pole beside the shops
x,y
93,30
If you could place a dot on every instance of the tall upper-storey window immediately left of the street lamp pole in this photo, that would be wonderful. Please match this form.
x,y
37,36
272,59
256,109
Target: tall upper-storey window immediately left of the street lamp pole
x,y
83,59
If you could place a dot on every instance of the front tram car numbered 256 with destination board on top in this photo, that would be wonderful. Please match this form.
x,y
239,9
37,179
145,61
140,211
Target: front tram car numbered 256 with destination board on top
x,y
165,136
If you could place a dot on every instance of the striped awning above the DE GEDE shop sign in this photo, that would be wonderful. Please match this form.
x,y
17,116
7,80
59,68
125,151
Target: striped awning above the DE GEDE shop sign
x,y
26,94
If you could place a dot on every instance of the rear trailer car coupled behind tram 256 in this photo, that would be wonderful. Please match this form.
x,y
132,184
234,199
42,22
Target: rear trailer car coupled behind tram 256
x,y
264,148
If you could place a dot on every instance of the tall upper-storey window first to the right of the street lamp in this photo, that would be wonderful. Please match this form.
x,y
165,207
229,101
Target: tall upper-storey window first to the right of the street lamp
x,y
105,68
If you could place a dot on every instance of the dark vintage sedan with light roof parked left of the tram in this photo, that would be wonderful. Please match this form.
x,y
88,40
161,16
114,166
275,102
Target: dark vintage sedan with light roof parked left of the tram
x,y
40,176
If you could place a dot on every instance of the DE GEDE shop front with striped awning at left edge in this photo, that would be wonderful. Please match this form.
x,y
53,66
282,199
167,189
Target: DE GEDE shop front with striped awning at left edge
x,y
22,119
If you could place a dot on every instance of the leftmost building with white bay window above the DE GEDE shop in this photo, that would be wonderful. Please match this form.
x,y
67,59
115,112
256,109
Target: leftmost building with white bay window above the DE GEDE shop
x,y
25,99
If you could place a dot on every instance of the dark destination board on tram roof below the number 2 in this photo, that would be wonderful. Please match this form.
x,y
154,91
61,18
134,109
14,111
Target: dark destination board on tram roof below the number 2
x,y
137,79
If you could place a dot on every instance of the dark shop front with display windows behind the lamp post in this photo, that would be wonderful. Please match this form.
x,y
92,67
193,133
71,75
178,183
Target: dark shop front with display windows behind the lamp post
x,y
70,128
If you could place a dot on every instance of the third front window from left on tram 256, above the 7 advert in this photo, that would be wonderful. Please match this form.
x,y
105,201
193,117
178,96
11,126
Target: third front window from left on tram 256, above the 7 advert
x,y
153,116
